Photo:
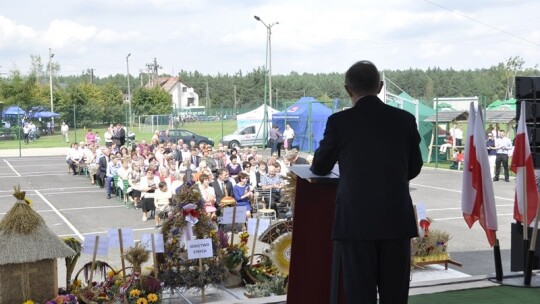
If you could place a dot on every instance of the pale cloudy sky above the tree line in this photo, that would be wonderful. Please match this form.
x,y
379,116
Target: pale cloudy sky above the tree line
x,y
309,36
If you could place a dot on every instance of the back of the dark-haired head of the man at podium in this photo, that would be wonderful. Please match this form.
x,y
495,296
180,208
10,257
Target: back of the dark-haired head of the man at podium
x,y
363,76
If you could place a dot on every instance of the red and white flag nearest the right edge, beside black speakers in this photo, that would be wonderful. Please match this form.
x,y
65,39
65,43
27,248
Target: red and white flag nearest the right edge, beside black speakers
x,y
522,164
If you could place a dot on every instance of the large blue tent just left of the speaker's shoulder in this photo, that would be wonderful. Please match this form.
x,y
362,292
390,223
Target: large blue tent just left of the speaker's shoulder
x,y
308,119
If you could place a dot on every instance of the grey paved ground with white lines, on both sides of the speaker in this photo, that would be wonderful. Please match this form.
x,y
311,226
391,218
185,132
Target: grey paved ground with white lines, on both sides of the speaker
x,y
72,206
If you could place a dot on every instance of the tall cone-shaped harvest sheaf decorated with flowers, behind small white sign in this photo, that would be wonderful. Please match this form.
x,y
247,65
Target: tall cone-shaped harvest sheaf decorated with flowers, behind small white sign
x,y
188,216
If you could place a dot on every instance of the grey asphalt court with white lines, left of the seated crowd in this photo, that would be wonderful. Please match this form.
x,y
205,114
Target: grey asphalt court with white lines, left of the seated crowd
x,y
70,205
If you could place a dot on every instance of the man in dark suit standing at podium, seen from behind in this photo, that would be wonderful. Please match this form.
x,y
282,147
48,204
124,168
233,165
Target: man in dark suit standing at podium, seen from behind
x,y
377,147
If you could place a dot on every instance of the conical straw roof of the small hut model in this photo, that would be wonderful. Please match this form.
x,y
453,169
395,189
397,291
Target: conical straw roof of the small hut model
x,y
24,236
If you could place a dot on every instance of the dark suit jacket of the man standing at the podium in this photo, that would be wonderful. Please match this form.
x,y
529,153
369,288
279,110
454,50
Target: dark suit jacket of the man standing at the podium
x,y
377,147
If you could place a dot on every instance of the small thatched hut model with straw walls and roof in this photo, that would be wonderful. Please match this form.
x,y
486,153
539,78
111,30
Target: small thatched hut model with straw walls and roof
x,y
28,253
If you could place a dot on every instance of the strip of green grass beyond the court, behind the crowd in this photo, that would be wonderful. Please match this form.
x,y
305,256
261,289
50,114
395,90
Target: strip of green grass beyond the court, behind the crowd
x,y
211,129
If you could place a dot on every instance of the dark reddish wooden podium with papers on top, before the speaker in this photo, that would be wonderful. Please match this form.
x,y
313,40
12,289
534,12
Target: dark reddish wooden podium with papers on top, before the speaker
x,y
310,274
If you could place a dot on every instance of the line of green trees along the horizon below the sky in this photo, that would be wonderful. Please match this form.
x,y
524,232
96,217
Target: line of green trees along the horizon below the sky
x,y
102,99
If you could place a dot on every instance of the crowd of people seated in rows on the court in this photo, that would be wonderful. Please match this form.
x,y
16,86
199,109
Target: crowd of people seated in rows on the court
x,y
146,176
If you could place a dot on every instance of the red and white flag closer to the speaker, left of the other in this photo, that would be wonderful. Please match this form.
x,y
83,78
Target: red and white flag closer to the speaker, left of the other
x,y
482,208
